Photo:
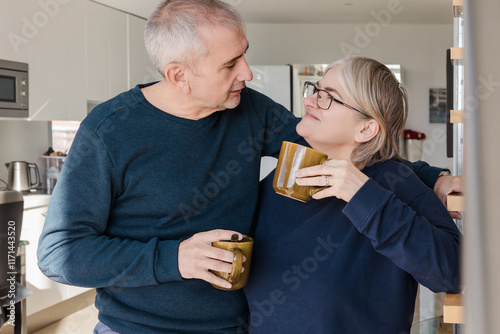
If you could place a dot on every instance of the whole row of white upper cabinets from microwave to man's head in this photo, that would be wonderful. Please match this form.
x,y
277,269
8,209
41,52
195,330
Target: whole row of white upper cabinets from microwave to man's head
x,y
78,52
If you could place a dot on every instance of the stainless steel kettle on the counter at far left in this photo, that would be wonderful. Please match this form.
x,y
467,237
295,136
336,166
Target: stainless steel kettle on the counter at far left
x,y
22,175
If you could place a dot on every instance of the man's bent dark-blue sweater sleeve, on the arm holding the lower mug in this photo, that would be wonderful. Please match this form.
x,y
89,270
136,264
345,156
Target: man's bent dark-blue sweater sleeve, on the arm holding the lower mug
x,y
73,247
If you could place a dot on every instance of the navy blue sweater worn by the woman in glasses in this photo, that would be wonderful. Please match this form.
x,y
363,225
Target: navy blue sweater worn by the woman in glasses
x,y
329,267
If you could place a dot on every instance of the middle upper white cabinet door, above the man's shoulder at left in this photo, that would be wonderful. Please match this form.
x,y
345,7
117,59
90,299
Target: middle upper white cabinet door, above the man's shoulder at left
x,y
106,56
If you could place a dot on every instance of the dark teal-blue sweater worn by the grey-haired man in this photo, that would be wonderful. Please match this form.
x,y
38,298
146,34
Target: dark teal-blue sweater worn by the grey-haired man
x,y
138,181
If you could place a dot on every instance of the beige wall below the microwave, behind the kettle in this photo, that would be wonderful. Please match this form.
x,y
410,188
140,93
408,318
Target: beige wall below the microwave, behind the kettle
x,y
21,141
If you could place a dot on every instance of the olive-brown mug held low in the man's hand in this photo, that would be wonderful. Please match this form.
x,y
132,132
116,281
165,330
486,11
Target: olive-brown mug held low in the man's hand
x,y
239,248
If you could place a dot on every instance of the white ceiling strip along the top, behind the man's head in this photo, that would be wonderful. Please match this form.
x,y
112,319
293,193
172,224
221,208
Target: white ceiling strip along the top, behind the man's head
x,y
321,11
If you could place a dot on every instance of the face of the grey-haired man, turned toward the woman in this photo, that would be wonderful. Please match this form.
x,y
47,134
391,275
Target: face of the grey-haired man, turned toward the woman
x,y
219,77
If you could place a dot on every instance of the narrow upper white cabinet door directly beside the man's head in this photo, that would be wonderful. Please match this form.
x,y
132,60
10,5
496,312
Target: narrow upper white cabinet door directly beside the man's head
x,y
140,66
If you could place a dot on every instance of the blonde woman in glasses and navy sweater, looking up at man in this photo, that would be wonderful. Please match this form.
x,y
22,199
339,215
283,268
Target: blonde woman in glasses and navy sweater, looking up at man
x,y
350,261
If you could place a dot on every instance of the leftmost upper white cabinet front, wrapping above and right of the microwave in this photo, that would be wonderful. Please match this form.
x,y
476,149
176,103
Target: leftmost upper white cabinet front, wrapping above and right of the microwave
x,y
48,36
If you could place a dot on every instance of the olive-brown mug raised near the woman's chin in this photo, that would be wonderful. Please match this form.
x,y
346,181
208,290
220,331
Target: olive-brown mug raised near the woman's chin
x,y
292,158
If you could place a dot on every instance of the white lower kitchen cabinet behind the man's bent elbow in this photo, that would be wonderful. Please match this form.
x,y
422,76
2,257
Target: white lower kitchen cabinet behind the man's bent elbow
x,y
45,292
